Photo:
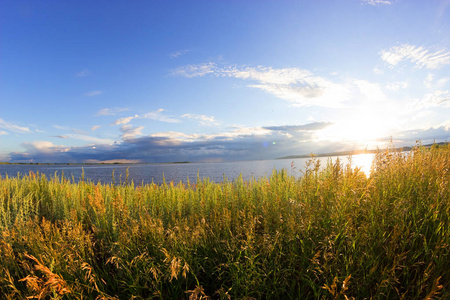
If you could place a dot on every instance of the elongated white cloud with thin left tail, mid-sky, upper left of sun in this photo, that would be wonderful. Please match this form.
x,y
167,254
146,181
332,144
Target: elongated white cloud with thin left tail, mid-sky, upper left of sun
x,y
299,87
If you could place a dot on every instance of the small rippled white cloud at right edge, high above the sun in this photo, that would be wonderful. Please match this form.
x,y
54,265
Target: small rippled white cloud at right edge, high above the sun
x,y
417,55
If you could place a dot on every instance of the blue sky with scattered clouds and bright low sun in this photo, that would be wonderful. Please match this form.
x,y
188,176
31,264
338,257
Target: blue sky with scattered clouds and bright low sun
x,y
220,80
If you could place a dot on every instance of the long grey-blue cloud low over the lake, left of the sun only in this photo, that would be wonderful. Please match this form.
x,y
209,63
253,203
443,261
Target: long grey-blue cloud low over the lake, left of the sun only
x,y
239,143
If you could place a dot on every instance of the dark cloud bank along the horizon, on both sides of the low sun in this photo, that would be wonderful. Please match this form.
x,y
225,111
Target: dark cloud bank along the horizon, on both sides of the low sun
x,y
265,143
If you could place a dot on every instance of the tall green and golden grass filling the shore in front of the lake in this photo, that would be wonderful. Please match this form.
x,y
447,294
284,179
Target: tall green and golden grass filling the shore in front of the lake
x,y
331,234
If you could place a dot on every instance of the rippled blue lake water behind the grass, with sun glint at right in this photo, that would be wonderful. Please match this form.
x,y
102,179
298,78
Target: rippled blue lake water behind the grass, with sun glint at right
x,y
146,173
